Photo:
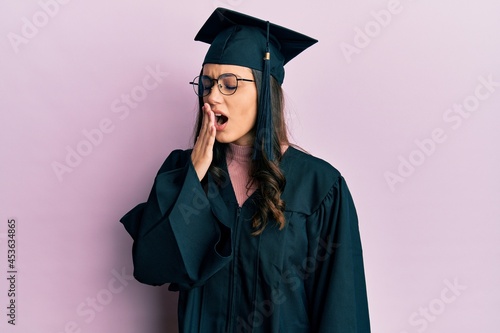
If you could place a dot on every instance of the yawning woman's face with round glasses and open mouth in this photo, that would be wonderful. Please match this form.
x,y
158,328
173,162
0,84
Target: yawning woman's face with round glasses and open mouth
x,y
235,115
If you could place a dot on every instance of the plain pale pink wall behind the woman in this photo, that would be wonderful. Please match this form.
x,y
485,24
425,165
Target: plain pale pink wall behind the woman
x,y
384,77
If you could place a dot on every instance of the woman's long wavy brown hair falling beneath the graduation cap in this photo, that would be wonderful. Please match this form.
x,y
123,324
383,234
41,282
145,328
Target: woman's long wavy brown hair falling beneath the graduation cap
x,y
263,172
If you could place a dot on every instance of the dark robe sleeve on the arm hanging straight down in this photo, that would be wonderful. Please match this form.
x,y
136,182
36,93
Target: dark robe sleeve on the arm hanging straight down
x,y
337,290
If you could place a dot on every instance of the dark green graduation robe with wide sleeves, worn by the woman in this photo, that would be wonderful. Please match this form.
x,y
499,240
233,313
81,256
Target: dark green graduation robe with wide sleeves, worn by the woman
x,y
306,278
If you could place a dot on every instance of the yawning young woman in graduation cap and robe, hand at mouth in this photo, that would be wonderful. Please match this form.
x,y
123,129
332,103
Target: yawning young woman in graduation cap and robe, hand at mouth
x,y
256,235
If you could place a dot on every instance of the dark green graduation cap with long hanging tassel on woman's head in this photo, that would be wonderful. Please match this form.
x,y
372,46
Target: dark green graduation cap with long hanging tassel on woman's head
x,y
239,39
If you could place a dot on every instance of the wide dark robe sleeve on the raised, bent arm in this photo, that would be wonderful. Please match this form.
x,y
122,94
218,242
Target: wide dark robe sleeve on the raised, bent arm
x,y
177,237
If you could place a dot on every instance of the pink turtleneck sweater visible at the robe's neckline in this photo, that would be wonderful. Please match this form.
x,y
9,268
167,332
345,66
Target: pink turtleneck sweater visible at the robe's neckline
x,y
238,160
